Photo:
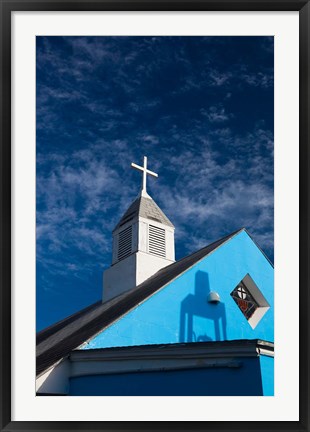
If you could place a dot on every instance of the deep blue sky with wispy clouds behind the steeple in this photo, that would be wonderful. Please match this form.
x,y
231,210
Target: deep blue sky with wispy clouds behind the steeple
x,y
200,108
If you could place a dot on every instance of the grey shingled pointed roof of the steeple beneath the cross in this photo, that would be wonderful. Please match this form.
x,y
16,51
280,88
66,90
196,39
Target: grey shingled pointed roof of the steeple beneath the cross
x,y
145,207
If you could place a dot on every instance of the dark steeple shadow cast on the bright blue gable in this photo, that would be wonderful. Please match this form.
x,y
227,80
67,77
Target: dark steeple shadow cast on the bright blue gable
x,y
196,305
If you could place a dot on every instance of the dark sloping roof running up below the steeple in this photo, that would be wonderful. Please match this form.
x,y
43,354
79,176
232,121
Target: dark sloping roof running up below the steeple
x,y
58,340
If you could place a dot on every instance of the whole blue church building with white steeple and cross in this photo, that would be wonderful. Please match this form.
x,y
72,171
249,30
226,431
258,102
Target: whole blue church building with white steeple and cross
x,y
200,326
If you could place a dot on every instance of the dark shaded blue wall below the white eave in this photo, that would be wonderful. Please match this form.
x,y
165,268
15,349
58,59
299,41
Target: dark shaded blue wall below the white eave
x,y
189,382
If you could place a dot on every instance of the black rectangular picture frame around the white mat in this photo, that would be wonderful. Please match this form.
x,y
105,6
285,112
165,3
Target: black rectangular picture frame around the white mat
x,y
6,8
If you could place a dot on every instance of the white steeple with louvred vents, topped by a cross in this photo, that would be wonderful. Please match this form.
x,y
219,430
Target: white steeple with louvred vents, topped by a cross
x,y
143,243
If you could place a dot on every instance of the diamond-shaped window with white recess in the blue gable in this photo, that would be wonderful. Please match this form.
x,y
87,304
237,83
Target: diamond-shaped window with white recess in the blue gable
x,y
250,300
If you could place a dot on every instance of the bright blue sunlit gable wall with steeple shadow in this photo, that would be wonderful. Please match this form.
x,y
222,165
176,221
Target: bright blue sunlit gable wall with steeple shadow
x,y
179,312
